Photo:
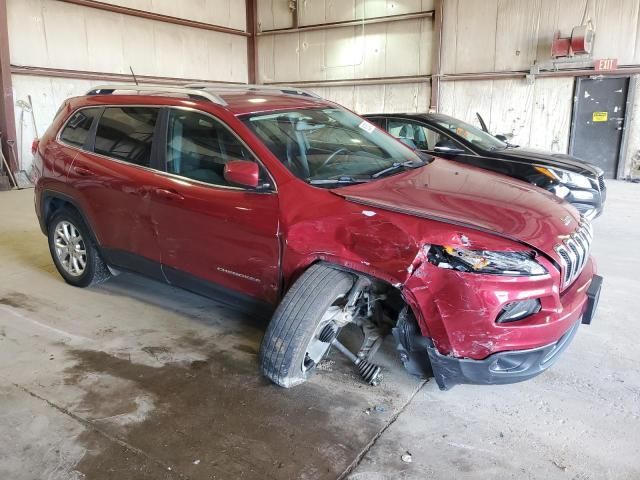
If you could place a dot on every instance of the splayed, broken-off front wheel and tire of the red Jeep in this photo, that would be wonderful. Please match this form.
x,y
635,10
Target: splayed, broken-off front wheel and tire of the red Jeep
x,y
297,322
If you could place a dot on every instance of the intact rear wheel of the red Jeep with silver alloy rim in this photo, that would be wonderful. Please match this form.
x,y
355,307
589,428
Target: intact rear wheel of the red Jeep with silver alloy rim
x,y
73,250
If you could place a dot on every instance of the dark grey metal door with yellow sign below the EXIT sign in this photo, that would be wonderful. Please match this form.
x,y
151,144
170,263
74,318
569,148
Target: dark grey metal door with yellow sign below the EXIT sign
x,y
598,121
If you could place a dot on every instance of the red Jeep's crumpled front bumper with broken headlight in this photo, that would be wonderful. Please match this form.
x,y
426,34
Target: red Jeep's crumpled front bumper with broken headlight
x,y
481,317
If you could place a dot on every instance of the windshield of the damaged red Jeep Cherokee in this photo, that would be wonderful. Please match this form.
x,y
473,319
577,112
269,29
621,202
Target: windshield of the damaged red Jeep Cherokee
x,y
331,145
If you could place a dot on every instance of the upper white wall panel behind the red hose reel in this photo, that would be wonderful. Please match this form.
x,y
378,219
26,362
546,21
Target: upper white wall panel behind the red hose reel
x,y
511,34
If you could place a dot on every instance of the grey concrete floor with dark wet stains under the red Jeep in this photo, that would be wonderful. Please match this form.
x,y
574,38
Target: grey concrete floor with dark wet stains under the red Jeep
x,y
136,380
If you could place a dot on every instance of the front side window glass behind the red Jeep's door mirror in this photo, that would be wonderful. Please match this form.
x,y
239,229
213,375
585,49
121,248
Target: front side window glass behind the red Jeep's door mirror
x,y
198,147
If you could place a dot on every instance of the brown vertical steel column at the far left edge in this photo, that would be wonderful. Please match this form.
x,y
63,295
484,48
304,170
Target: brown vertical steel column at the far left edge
x,y
7,117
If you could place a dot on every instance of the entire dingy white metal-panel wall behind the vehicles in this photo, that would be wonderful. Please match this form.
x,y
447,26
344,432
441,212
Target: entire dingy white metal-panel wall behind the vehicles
x,y
478,36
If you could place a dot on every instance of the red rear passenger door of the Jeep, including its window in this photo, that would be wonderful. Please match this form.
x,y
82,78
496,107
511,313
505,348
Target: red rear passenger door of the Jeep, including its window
x,y
113,182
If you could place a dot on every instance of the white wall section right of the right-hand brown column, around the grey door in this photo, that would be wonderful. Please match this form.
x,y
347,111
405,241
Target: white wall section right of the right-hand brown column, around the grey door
x,y
510,35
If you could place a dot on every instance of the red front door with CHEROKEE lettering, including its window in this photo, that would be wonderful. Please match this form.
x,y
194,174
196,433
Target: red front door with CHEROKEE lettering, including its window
x,y
212,233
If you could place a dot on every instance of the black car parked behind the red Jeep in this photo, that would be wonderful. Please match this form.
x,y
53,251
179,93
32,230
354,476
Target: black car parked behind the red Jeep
x,y
574,180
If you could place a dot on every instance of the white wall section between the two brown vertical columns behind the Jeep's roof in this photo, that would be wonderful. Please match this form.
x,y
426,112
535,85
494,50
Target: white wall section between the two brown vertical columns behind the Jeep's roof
x,y
355,53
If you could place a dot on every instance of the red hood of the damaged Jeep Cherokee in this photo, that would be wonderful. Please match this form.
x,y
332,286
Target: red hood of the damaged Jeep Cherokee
x,y
460,195
